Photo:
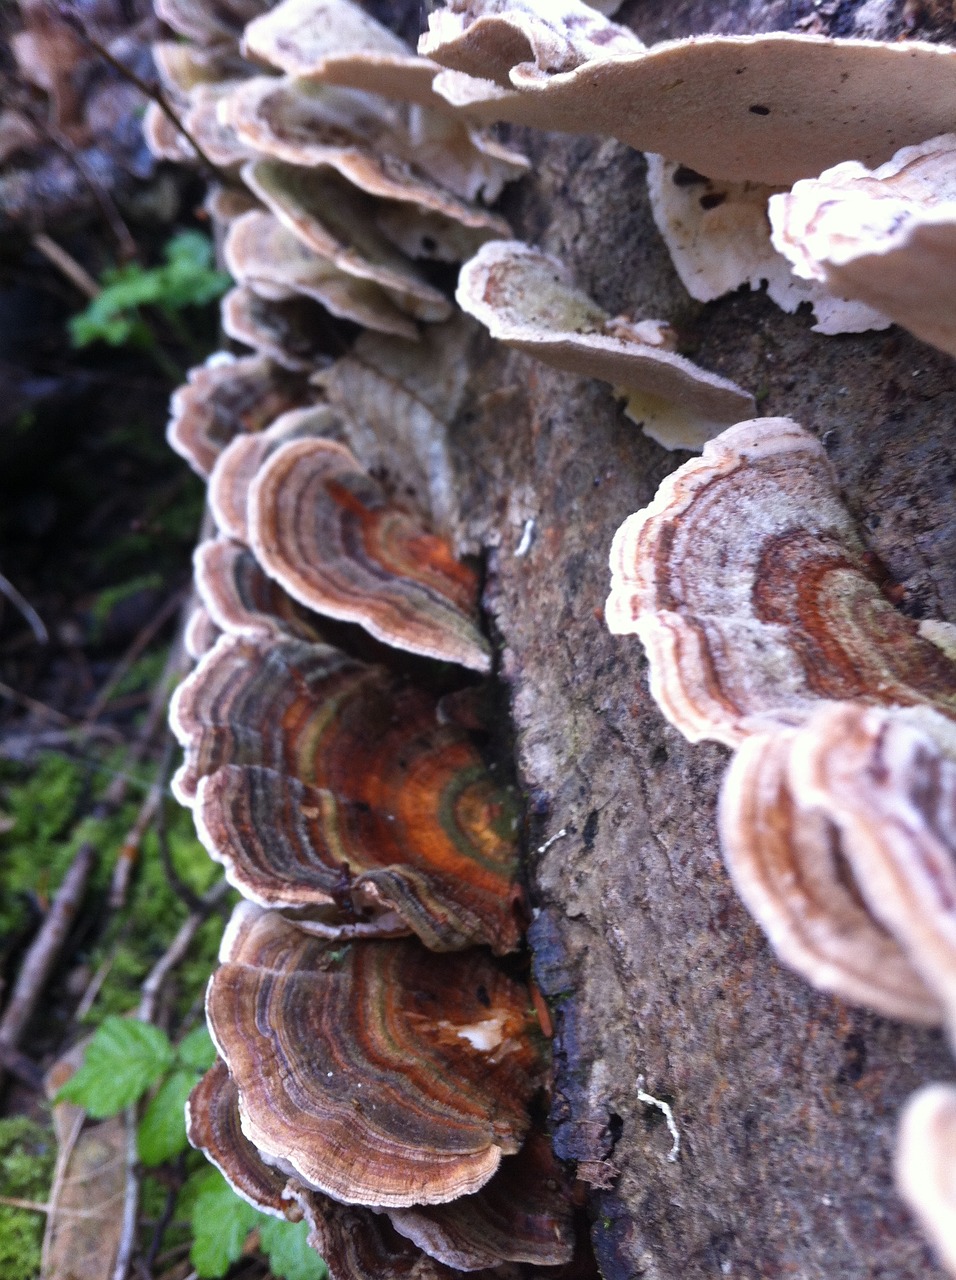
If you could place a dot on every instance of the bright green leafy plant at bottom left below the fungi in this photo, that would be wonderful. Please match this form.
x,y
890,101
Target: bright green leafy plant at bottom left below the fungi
x,y
123,1063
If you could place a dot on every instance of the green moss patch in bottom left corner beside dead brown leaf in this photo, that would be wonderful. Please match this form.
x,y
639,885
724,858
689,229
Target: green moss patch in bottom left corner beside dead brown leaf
x,y
28,1154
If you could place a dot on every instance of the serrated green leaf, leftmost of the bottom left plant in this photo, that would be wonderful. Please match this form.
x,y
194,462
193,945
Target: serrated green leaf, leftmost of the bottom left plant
x,y
122,1062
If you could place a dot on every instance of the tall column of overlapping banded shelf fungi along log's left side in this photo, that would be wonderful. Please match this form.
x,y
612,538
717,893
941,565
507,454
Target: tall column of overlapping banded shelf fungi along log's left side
x,y
364,1084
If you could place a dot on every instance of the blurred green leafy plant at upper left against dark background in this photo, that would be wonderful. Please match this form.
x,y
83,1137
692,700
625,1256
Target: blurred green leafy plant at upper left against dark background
x,y
186,280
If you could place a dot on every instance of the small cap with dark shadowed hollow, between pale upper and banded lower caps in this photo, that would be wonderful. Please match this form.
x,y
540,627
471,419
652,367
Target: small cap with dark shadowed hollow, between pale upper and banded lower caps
x,y
290,331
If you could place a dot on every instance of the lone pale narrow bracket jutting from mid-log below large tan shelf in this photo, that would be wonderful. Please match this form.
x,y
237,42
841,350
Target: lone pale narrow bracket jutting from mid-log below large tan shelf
x,y
528,301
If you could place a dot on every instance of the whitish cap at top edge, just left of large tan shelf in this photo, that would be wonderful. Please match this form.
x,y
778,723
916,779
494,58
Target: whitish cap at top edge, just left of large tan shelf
x,y
339,43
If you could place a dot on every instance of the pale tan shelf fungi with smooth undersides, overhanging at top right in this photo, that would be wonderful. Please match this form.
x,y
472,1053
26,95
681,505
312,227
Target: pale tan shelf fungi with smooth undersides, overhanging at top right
x,y
730,124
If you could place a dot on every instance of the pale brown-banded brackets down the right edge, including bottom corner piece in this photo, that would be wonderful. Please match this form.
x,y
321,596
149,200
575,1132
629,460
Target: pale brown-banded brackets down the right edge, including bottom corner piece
x,y
771,629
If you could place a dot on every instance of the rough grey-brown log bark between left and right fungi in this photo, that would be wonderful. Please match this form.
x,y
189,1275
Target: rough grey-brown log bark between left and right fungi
x,y
786,1100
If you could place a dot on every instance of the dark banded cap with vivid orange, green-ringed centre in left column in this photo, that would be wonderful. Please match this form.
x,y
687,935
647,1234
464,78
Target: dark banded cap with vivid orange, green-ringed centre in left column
x,y
333,792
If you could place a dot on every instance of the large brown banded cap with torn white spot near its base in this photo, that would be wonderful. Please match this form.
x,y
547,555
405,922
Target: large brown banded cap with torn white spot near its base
x,y
445,1057
